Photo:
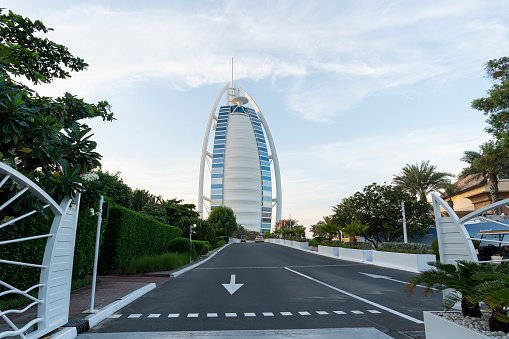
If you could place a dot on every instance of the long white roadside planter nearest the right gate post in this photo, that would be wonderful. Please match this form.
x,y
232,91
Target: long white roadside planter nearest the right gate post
x,y
403,261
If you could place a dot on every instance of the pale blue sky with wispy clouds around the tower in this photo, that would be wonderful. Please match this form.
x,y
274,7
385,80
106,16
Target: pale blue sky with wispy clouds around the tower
x,y
352,90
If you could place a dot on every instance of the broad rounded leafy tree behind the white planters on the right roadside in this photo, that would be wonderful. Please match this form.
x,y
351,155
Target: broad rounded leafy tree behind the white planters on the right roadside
x,y
378,207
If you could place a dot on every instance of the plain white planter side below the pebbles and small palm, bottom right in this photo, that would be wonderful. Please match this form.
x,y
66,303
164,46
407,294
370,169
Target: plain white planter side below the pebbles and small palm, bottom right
x,y
438,327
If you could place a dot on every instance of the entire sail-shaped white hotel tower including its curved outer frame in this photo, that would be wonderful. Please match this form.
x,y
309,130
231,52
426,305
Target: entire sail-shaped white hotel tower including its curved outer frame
x,y
242,163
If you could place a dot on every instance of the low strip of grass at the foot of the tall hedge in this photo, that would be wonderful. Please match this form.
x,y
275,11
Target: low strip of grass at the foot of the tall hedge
x,y
155,263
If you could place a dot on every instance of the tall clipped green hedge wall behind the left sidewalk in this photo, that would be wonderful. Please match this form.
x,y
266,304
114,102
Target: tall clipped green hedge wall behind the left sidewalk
x,y
131,235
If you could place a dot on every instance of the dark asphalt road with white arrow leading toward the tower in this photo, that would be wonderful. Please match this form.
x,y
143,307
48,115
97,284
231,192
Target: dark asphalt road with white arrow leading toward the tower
x,y
282,288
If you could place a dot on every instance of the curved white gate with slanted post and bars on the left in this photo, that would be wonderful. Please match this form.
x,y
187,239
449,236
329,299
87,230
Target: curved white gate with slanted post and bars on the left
x,y
54,285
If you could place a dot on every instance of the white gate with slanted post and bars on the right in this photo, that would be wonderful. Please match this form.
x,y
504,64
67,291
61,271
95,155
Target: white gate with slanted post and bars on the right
x,y
454,242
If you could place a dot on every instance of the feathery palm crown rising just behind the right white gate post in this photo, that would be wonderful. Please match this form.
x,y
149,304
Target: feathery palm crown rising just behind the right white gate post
x,y
420,180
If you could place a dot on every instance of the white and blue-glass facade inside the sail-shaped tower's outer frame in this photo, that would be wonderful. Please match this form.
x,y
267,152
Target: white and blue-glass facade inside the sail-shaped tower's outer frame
x,y
241,177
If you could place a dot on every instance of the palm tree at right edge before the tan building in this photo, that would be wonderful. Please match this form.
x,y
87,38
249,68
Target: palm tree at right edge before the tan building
x,y
490,162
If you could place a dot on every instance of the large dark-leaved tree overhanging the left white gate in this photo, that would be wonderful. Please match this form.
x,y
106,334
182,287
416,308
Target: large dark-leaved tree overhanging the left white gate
x,y
41,136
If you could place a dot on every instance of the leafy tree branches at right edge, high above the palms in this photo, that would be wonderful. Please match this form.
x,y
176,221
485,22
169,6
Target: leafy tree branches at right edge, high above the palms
x,y
496,104
